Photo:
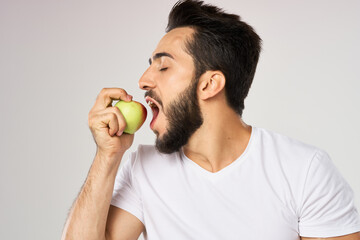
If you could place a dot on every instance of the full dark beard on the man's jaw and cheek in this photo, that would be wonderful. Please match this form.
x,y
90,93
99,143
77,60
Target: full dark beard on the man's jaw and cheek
x,y
184,118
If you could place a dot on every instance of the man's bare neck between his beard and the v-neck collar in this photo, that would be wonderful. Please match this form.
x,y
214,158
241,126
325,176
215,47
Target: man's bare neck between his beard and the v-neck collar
x,y
220,140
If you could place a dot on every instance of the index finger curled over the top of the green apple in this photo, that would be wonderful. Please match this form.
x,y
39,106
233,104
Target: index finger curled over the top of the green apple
x,y
107,95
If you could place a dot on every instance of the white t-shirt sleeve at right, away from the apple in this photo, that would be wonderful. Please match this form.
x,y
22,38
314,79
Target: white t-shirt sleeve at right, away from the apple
x,y
327,204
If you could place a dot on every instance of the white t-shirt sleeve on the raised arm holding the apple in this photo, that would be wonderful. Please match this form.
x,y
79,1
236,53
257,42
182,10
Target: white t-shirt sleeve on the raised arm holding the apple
x,y
125,195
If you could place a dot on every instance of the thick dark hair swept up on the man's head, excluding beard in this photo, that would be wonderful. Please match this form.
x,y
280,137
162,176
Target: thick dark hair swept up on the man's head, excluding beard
x,y
221,42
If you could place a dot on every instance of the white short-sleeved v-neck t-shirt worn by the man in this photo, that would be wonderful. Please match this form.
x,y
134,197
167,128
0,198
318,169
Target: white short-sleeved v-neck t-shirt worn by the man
x,y
279,188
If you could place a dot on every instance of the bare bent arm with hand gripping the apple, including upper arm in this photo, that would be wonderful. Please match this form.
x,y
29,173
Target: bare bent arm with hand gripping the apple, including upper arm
x,y
90,217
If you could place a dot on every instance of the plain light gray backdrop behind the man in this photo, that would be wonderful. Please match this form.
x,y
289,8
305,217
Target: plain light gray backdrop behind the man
x,y
55,56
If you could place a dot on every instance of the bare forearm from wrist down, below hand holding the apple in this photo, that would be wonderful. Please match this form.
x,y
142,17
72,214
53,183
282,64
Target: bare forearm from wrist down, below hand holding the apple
x,y
87,218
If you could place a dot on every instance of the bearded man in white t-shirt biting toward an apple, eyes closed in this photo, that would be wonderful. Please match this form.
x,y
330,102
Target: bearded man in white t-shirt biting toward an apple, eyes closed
x,y
210,175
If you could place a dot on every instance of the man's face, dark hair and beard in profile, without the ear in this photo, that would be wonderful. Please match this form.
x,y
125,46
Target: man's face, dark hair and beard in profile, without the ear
x,y
200,39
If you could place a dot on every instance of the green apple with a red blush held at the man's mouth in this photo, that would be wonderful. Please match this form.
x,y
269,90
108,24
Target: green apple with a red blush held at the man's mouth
x,y
134,113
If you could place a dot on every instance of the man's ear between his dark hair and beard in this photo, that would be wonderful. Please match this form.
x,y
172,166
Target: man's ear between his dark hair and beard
x,y
210,84
